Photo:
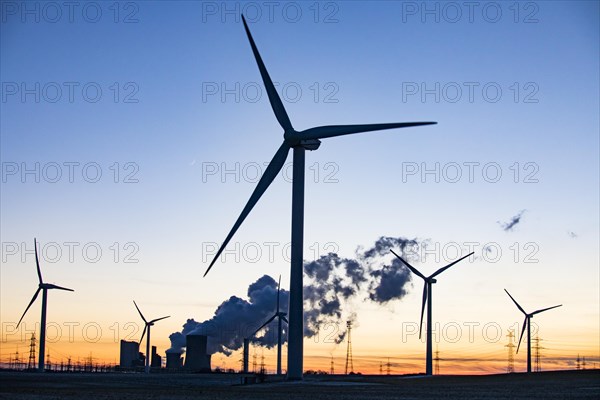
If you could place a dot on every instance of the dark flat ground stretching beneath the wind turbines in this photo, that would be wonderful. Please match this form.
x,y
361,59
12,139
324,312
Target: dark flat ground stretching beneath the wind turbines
x,y
546,385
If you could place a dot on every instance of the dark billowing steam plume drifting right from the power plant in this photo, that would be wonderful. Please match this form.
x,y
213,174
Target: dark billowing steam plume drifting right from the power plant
x,y
331,284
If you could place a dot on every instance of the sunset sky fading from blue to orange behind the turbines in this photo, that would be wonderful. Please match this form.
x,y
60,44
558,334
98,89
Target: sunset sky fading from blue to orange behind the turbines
x,y
133,133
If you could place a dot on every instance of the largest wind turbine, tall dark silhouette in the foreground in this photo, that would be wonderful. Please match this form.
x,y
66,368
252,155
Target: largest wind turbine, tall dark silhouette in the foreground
x,y
299,142
